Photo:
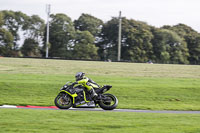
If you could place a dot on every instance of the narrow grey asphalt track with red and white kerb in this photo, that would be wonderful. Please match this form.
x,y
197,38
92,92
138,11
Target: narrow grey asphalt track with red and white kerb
x,y
99,109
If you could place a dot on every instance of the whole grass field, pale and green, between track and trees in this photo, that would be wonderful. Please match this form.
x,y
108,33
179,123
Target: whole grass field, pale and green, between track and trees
x,y
137,86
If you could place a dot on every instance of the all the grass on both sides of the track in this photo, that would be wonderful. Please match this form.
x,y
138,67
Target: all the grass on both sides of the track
x,y
137,86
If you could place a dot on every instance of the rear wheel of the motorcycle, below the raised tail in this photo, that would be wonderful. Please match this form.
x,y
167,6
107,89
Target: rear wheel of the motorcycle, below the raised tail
x,y
108,102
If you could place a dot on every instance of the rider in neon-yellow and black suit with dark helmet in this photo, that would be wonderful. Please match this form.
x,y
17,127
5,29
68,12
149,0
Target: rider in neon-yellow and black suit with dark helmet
x,y
86,82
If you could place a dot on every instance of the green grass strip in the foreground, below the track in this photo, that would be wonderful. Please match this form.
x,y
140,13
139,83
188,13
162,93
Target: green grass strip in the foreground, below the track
x,y
51,121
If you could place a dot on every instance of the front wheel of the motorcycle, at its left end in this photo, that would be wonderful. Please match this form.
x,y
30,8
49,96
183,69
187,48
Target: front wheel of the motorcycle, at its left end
x,y
63,101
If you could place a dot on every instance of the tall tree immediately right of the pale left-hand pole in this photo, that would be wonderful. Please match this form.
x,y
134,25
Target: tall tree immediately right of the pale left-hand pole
x,y
61,36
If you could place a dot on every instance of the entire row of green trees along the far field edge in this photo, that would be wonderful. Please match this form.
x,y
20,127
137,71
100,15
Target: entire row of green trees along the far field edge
x,y
89,38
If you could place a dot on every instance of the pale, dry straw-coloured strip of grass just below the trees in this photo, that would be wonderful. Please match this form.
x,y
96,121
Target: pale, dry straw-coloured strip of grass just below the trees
x,y
95,68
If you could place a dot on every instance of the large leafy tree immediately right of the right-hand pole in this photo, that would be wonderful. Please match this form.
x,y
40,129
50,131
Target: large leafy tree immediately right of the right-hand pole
x,y
136,41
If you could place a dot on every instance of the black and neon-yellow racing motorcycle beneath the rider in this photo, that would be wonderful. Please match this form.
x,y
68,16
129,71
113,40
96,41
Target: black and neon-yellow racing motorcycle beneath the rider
x,y
70,96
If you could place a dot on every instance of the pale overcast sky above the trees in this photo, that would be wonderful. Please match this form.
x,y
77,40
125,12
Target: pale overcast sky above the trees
x,y
154,12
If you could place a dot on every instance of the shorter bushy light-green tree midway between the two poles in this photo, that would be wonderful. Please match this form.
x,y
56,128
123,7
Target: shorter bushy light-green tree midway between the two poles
x,y
84,46
